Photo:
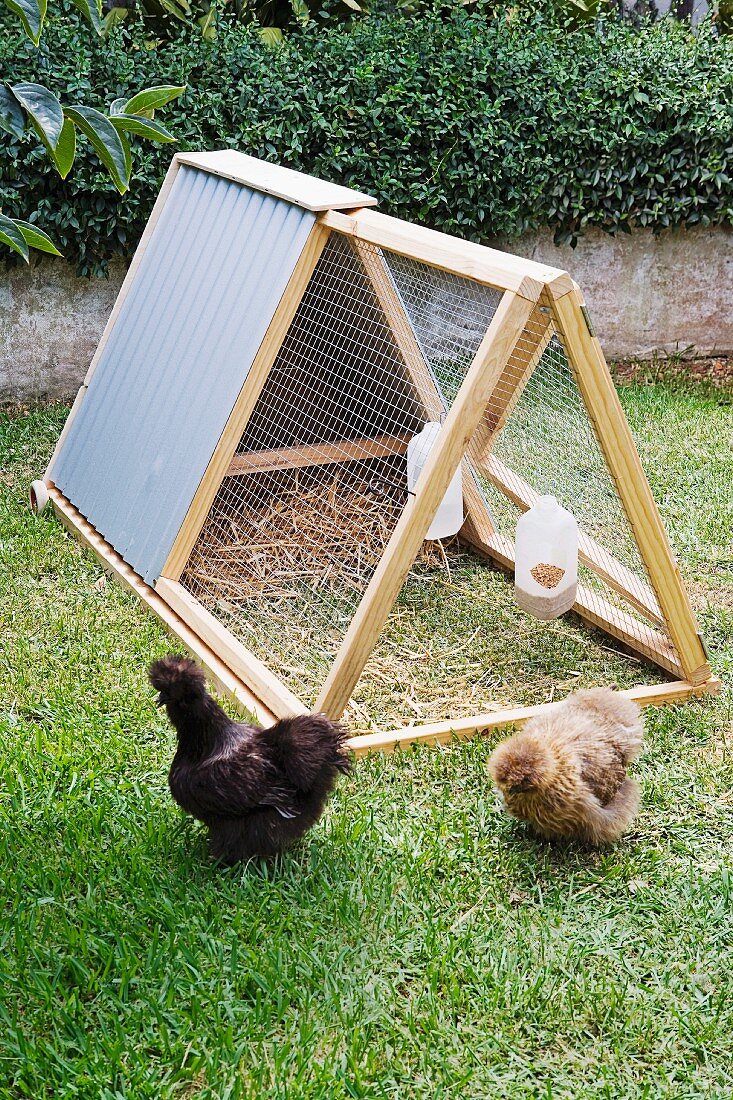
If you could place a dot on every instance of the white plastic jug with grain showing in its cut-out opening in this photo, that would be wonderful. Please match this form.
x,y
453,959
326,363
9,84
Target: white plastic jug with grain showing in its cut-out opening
x,y
546,576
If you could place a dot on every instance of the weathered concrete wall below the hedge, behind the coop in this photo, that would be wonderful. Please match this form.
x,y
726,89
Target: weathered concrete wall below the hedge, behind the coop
x,y
646,294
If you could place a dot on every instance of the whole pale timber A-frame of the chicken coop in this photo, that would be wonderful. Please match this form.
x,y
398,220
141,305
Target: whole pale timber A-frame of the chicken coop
x,y
539,302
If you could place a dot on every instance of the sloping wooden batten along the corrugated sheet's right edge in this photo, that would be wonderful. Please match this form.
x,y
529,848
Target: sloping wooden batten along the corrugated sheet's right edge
x,y
243,410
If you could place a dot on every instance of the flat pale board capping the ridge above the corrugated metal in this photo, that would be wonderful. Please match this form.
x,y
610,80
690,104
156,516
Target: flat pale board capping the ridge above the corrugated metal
x,y
308,192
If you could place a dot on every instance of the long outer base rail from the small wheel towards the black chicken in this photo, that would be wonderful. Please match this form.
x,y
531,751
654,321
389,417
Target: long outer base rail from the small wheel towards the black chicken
x,y
223,677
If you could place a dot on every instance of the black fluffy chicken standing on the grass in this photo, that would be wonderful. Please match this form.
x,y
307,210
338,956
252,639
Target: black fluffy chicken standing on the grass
x,y
257,790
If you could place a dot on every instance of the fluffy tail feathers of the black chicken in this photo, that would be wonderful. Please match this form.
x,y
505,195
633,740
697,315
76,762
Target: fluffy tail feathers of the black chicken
x,y
310,749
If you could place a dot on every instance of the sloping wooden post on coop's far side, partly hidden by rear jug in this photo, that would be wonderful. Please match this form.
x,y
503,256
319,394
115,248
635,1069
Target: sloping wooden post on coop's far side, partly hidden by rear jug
x,y
478,518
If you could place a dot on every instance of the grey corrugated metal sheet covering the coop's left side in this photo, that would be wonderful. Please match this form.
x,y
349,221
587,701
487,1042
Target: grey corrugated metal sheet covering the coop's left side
x,y
184,342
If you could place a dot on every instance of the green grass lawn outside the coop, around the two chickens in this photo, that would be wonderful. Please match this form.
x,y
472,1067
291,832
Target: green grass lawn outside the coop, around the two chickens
x,y
420,944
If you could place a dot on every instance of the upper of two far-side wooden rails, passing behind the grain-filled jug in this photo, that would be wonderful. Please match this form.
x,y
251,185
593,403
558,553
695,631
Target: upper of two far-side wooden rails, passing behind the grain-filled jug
x,y
617,576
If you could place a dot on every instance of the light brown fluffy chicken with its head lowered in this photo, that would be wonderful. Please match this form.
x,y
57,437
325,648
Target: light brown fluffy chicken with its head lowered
x,y
566,772
